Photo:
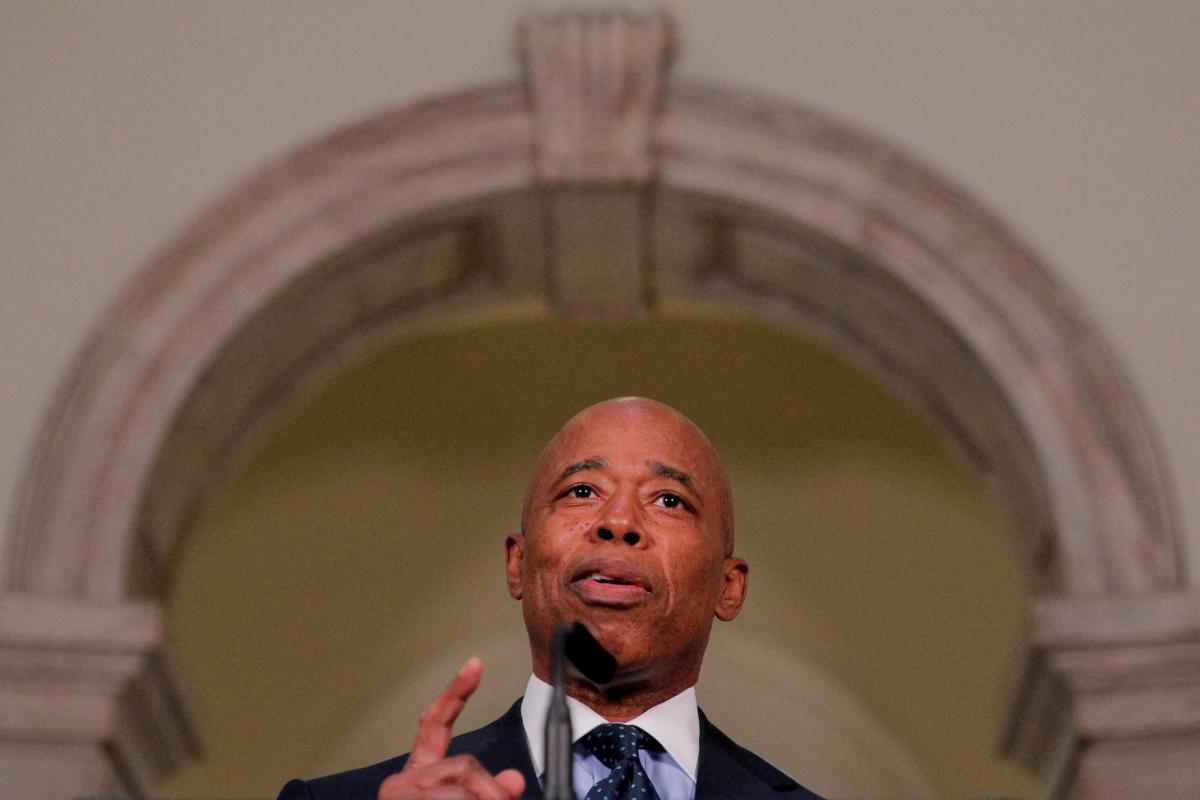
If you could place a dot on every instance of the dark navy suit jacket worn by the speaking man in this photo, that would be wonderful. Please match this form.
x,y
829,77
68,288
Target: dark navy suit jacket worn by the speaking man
x,y
725,771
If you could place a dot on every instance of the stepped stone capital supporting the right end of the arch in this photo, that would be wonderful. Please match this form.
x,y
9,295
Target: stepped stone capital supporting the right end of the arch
x,y
1107,684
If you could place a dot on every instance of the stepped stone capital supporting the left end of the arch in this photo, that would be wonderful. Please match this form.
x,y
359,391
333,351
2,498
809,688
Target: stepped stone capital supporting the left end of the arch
x,y
80,682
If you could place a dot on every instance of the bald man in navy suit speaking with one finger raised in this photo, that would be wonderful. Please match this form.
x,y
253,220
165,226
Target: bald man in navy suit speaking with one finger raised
x,y
628,528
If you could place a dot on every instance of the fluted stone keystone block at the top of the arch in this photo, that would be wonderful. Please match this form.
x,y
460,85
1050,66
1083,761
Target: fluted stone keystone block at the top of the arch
x,y
596,86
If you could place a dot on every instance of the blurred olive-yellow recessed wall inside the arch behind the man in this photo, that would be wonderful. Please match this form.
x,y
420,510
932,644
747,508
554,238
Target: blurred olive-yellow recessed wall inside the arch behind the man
x,y
357,561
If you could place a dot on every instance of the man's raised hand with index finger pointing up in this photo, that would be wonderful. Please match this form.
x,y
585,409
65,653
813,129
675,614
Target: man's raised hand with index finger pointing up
x,y
429,774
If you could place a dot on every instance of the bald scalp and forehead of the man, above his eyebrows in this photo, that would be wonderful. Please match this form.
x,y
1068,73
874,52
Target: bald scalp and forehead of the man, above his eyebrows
x,y
665,431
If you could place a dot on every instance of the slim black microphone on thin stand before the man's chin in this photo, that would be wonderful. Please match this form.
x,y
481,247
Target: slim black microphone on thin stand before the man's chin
x,y
599,666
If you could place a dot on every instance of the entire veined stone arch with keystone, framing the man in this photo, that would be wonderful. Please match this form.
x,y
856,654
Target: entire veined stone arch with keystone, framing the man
x,y
595,188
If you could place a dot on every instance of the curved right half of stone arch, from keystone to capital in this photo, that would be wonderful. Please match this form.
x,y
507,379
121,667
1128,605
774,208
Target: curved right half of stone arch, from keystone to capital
x,y
939,300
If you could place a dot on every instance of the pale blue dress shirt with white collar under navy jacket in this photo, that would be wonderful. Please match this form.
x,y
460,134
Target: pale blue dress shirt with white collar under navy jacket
x,y
674,723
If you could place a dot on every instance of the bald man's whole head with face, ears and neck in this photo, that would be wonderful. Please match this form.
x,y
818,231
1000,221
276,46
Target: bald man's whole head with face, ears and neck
x,y
626,533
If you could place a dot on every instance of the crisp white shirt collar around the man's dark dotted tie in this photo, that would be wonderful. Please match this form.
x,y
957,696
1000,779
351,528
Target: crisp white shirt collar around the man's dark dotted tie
x,y
674,723
